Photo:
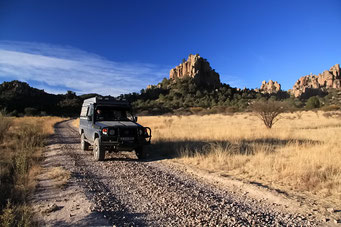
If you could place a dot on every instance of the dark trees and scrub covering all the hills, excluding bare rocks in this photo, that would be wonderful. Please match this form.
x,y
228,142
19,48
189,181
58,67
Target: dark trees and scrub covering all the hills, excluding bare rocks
x,y
179,96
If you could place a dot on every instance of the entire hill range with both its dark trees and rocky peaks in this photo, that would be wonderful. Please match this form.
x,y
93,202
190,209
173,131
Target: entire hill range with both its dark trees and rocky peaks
x,y
193,87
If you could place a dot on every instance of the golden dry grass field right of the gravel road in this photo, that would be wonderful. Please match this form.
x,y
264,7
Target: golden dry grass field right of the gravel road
x,y
300,153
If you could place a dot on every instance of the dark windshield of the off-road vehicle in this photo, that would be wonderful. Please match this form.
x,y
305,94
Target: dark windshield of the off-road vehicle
x,y
109,113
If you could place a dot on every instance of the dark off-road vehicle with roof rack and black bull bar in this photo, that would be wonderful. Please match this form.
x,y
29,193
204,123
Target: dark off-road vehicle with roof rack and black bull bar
x,y
107,124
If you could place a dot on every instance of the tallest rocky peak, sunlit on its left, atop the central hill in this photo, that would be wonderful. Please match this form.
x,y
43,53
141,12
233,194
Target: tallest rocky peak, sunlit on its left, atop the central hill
x,y
197,68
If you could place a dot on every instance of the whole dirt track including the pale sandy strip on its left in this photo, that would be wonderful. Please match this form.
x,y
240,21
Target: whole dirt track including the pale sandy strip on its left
x,y
123,191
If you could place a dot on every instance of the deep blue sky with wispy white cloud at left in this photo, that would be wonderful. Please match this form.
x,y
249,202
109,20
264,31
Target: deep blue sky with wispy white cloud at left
x,y
114,47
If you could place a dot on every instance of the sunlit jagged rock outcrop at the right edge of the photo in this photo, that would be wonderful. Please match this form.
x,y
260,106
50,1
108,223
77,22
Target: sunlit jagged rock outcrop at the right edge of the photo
x,y
312,84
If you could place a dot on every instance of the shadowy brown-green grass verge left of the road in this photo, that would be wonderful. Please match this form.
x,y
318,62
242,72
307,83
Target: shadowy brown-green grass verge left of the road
x,y
21,144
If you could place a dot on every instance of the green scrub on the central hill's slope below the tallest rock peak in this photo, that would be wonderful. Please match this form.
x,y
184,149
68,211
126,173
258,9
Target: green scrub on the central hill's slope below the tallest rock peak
x,y
185,96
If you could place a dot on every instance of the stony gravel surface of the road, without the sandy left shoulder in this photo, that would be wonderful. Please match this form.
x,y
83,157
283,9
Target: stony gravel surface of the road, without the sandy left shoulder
x,y
127,192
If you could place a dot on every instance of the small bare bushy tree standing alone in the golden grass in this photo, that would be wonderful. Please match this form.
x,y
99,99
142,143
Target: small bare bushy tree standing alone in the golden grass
x,y
268,111
